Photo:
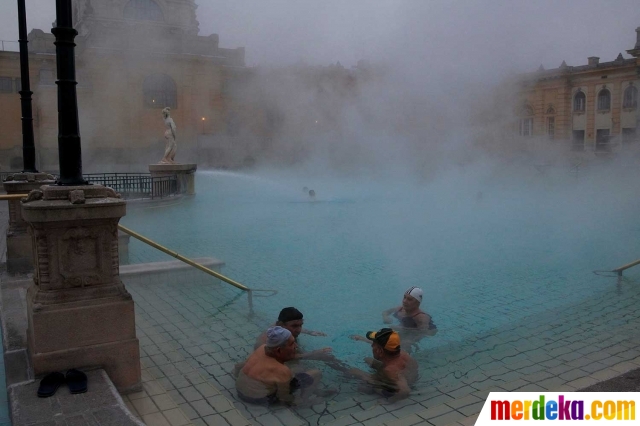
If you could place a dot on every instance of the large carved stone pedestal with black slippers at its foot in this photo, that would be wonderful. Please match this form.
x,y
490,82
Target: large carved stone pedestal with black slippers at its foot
x,y
78,311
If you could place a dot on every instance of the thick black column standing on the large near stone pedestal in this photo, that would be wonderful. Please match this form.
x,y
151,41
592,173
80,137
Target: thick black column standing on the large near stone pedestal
x,y
69,150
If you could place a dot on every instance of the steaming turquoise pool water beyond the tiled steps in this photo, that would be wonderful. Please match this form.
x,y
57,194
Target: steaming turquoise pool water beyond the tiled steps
x,y
521,252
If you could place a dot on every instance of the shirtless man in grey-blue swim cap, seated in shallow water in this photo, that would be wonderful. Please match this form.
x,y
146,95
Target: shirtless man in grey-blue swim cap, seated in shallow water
x,y
265,379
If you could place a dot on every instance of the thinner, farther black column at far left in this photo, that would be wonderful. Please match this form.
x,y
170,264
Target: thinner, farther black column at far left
x,y
28,147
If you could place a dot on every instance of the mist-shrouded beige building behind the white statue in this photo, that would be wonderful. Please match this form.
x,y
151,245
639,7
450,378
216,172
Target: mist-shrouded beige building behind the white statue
x,y
133,58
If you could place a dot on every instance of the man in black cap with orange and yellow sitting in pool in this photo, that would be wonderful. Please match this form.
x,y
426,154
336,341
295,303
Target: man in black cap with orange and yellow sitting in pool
x,y
395,370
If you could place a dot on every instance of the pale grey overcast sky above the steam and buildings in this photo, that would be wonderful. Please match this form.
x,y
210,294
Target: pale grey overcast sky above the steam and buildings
x,y
471,37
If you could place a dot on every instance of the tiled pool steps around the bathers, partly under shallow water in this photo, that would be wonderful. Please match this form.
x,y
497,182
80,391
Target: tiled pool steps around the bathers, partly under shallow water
x,y
194,330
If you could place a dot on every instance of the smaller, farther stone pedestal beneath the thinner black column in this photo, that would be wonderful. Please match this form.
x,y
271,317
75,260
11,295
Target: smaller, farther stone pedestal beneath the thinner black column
x,y
19,247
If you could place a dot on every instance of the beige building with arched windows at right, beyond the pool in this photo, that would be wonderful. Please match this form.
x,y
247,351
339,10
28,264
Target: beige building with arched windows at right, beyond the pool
x,y
592,107
